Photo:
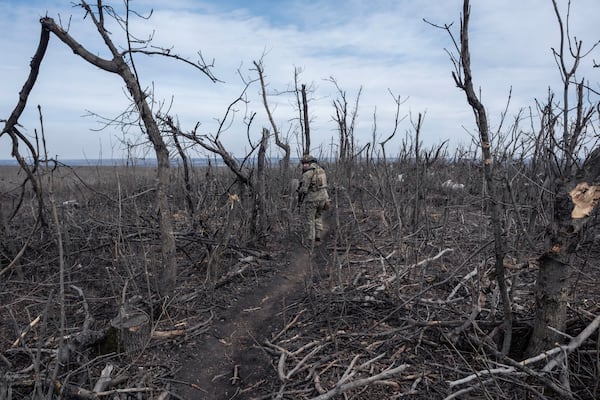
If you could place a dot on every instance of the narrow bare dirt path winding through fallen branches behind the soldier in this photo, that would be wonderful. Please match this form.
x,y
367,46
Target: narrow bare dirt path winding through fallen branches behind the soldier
x,y
226,363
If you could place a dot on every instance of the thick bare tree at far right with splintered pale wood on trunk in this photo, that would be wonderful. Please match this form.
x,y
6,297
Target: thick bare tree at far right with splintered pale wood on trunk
x,y
563,150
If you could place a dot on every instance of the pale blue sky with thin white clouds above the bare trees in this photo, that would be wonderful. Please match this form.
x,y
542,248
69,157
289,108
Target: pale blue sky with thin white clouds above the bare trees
x,y
375,51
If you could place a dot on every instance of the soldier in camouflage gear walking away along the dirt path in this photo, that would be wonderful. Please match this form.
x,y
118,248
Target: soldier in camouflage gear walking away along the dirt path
x,y
313,195
